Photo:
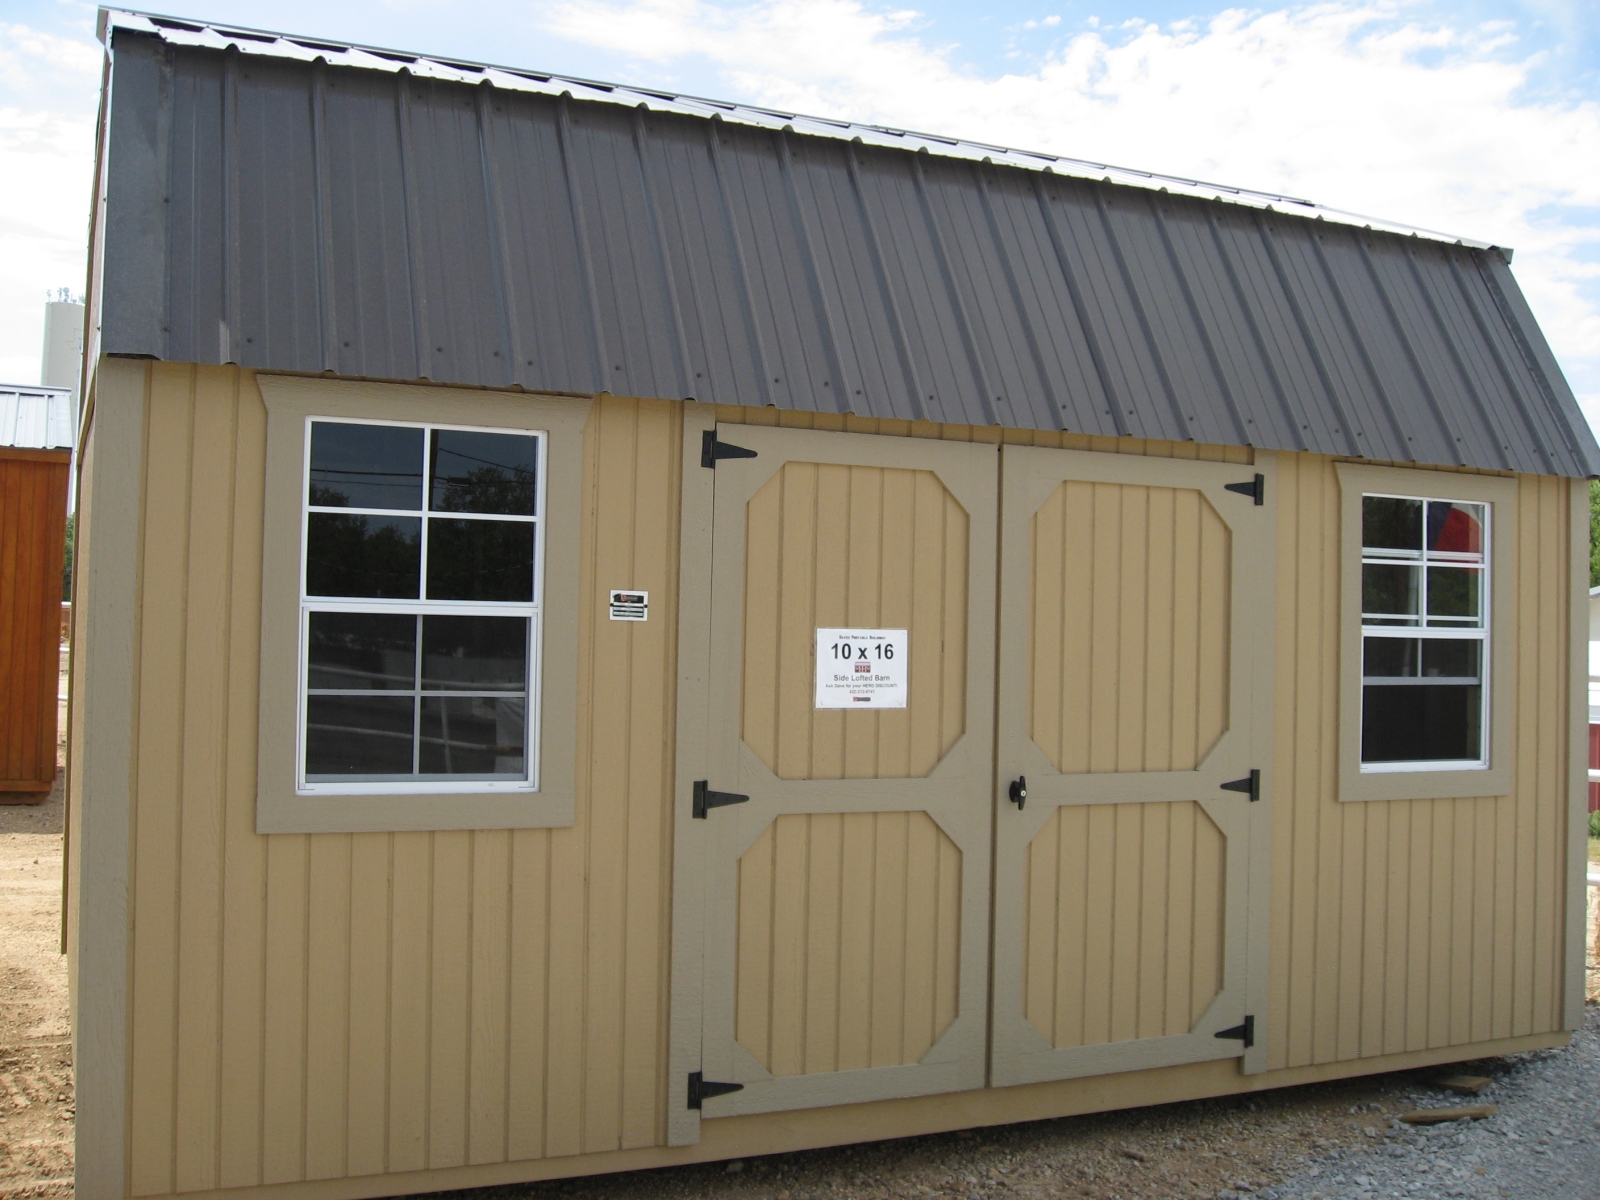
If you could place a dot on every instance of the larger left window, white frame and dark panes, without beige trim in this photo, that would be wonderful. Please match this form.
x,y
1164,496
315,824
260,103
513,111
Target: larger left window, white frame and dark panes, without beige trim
x,y
420,607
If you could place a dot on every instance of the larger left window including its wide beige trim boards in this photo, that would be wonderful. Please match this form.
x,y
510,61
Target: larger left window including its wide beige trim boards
x,y
420,607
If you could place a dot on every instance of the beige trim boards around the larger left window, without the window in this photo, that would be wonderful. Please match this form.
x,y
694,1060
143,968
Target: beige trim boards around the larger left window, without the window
x,y
281,806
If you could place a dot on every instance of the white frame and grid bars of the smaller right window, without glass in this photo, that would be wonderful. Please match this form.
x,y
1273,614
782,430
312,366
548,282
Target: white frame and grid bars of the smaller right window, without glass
x,y
1458,631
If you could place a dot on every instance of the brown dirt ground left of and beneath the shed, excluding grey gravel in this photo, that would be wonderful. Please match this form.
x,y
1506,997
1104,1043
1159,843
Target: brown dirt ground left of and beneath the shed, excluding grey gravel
x,y
1223,1148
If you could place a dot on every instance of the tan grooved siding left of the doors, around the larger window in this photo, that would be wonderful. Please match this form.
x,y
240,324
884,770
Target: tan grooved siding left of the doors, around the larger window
x,y
313,1007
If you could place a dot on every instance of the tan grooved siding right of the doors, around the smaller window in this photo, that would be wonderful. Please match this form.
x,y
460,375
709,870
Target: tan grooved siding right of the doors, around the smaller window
x,y
1410,926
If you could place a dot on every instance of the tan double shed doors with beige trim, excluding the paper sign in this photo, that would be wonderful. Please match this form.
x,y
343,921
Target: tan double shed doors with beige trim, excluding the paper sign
x,y
833,930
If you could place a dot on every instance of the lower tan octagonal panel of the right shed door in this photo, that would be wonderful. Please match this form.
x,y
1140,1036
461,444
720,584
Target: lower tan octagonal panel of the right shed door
x,y
1124,922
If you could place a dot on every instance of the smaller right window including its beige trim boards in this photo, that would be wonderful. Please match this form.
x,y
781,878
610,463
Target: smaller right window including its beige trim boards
x,y
1428,633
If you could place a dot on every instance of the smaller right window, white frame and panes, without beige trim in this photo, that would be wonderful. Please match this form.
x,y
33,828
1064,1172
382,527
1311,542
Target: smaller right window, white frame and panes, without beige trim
x,y
1425,633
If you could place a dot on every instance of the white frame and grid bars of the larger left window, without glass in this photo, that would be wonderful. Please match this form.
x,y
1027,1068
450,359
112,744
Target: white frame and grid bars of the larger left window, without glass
x,y
425,607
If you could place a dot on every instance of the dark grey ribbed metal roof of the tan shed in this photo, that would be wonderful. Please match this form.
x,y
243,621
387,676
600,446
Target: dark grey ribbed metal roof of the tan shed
x,y
388,223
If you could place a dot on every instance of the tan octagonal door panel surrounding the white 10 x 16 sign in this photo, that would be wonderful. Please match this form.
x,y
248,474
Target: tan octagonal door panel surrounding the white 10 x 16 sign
x,y
854,546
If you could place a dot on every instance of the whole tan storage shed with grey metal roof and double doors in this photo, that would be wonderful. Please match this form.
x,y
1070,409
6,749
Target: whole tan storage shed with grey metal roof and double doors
x,y
620,630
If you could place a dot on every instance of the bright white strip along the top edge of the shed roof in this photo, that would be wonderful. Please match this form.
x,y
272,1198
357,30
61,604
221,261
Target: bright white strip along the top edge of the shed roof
x,y
186,33
